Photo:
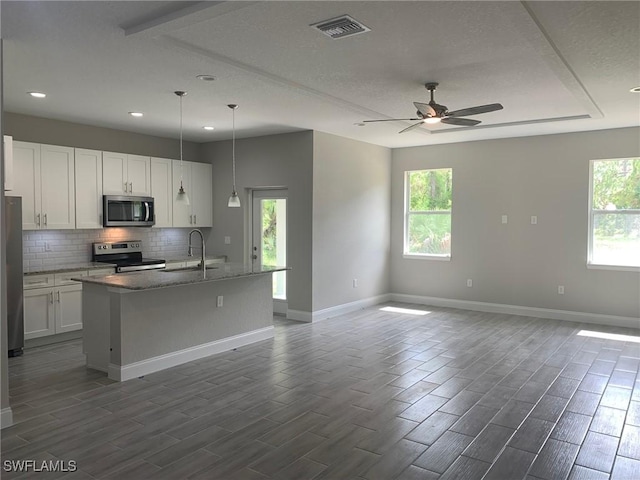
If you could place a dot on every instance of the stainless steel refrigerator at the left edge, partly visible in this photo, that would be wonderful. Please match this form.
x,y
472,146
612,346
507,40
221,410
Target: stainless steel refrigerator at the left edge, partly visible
x,y
15,310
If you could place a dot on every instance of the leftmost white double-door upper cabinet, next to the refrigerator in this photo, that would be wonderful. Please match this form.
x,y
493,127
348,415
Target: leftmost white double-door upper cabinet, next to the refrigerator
x,y
44,178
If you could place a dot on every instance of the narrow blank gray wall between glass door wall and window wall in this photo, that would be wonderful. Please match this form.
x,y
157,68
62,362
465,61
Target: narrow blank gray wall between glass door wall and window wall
x,y
351,220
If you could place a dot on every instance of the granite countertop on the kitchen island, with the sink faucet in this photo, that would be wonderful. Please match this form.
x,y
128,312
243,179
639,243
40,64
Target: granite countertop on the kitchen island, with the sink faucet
x,y
162,279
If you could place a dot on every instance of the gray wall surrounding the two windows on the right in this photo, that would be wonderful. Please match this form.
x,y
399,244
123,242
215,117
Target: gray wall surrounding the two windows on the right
x,y
517,263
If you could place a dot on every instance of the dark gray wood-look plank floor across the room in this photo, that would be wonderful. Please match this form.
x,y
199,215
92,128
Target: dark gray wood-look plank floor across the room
x,y
371,395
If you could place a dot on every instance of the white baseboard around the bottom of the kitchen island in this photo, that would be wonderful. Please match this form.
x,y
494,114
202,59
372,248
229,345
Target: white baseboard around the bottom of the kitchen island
x,y
162,362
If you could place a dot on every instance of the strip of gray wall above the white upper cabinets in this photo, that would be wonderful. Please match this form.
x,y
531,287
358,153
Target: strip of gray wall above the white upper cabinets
x,y
27,128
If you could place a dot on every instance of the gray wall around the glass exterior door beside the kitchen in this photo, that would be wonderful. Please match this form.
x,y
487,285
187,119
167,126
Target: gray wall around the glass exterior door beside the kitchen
x,y
277,160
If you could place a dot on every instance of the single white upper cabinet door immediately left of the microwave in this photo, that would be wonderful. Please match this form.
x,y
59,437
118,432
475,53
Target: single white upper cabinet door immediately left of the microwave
x,y
88,188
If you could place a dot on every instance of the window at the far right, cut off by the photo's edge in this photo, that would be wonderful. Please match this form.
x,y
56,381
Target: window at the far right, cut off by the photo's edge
x,y
614,226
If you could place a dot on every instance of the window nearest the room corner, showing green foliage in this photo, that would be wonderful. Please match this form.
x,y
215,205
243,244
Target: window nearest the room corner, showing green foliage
x,y
427,230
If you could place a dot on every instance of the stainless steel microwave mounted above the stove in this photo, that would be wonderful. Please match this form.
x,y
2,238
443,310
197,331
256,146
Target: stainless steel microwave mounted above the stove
x,y
126,211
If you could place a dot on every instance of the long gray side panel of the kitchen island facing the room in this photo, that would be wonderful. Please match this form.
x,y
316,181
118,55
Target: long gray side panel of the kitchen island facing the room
x,y
154,325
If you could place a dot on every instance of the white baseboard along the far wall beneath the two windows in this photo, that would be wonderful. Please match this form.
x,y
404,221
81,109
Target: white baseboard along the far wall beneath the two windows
x,y
567,315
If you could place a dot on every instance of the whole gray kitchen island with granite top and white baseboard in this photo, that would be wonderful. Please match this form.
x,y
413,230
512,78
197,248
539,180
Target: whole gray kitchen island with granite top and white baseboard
x,y
139,323
